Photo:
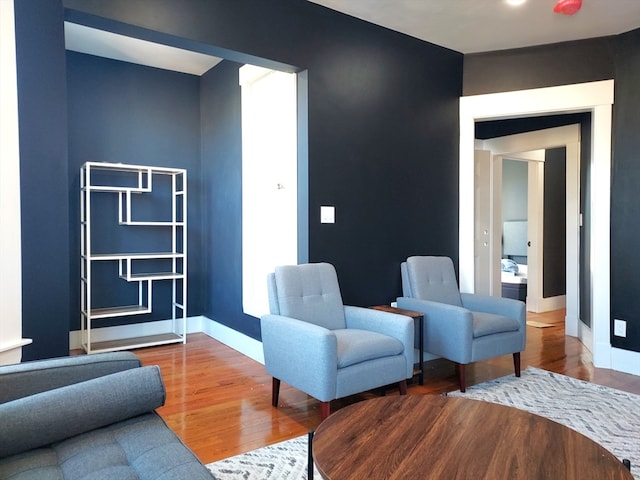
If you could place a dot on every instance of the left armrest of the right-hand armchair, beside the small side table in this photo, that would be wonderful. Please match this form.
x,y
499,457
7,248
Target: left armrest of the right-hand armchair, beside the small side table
x,y
448,329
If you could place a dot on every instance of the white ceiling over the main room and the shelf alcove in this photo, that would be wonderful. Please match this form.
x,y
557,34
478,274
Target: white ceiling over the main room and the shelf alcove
x,y
467,26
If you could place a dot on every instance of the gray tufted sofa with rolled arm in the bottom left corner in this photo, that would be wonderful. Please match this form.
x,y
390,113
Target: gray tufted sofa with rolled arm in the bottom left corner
x,y
88,417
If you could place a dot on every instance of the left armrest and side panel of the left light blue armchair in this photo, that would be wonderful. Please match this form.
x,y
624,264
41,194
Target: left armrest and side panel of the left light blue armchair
x,y
300,353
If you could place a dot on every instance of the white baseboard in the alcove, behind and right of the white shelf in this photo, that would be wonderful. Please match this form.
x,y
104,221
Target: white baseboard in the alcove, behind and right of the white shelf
x,y
200,324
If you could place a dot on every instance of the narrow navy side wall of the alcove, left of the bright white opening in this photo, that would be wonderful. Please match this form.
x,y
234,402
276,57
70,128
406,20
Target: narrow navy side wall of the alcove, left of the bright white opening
x,y
222,172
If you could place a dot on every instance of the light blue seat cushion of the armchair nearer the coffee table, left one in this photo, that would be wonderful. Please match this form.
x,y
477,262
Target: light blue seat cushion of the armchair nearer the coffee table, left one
x,y
356,346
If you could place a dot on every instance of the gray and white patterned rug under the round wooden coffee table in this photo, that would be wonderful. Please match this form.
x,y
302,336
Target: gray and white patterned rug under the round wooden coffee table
x,y
607,416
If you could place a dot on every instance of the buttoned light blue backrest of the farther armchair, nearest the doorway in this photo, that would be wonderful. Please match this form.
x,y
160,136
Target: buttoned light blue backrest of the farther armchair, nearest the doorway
x,y
430,278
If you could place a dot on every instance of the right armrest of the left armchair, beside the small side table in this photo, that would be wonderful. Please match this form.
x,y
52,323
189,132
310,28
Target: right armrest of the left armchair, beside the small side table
x,y
391,324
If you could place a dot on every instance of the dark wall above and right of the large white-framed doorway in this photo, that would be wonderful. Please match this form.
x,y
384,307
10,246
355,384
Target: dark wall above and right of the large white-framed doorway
x,y
574,62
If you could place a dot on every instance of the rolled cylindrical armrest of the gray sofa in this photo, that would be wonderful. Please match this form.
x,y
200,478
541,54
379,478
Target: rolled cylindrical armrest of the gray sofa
x,y
55,415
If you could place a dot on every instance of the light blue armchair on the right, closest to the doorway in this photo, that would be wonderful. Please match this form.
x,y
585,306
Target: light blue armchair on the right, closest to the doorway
x,y
461,327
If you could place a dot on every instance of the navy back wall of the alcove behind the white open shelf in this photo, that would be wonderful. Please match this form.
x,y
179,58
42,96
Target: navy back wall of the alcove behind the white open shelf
x,y
125,113
